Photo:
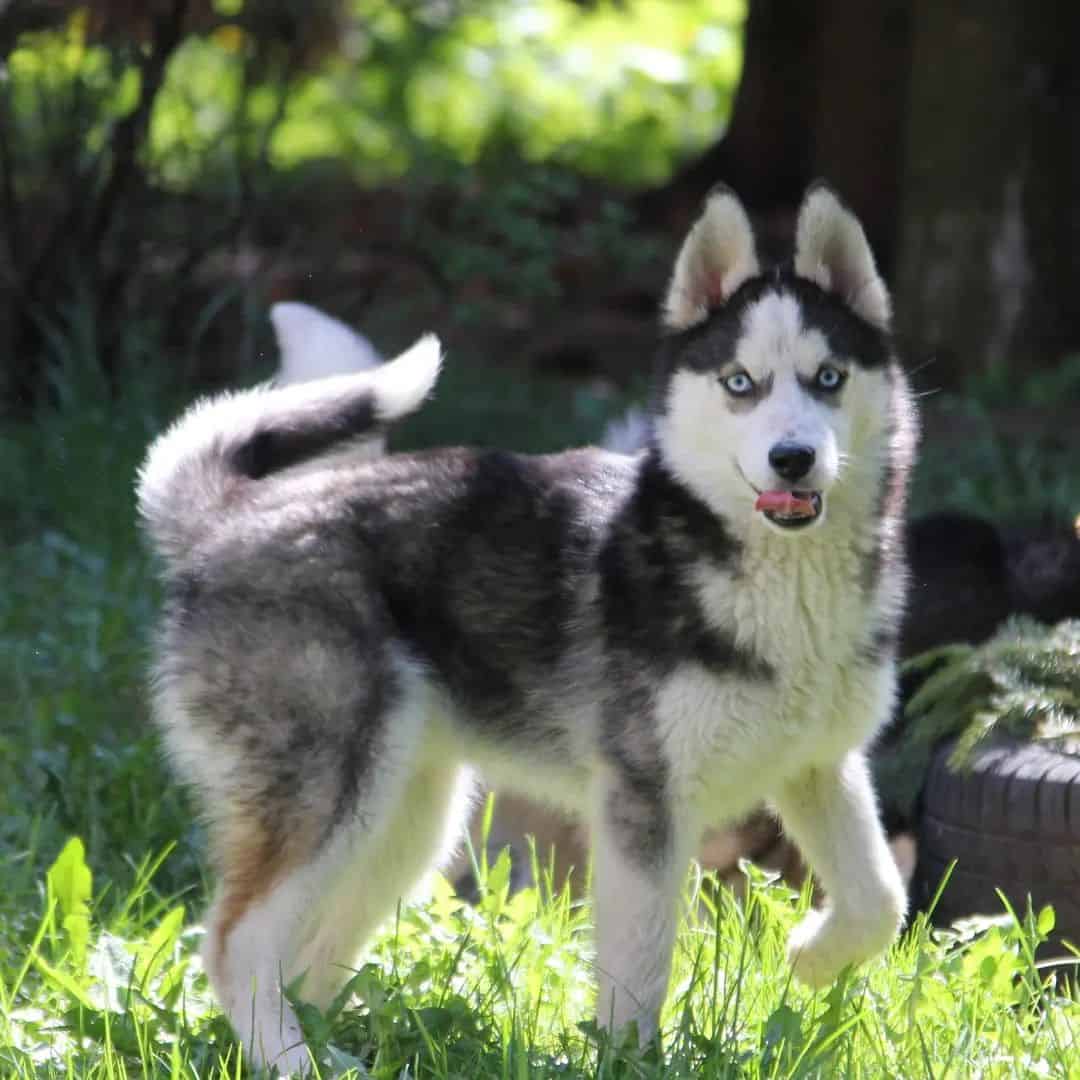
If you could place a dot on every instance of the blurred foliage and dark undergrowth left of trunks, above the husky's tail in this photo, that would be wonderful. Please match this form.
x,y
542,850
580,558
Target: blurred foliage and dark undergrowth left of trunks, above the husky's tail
x,y
456,164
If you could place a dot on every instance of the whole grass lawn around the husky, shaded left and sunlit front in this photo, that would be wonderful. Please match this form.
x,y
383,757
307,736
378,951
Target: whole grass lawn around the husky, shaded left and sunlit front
x,y
102,883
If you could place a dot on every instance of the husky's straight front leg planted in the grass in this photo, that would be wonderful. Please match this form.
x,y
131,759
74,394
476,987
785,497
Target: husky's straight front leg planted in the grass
x,y
641,854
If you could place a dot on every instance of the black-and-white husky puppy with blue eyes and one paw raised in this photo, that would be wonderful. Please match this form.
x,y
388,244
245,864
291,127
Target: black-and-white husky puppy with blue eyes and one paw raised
x,y
658,642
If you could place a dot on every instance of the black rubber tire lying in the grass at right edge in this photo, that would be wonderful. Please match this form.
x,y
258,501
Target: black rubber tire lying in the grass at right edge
x,y
1011,822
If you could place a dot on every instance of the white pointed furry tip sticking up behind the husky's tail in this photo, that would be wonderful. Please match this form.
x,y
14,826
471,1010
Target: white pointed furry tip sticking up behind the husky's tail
x,y
315,345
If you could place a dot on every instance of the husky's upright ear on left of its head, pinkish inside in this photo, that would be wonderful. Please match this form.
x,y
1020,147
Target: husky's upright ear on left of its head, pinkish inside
x,y
718,256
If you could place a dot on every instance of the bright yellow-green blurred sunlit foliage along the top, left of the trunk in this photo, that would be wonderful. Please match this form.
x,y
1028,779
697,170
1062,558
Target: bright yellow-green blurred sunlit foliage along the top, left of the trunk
x,y
619,90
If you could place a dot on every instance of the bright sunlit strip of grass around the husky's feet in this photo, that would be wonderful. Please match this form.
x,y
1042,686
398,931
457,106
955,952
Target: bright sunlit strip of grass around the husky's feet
x,y
109,983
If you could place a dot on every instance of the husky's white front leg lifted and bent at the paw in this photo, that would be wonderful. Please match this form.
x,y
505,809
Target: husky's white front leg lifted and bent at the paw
x,y
833,817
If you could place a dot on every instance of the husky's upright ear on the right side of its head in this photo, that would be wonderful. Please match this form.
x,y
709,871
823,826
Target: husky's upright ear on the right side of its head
x,y
831,250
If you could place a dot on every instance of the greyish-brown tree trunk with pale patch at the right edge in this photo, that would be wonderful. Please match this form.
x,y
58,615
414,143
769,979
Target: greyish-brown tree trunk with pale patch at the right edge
x,y
990,239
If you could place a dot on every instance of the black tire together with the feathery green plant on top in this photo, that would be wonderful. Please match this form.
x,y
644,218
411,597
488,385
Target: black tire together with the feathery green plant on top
x,y
991,749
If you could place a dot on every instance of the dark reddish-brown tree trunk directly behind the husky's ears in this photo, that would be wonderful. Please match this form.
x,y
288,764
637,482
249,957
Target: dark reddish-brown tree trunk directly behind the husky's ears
x,y
821,97
